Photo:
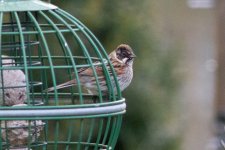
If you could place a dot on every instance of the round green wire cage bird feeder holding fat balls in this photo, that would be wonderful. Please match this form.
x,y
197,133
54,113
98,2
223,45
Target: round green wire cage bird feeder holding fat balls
x,y
47,46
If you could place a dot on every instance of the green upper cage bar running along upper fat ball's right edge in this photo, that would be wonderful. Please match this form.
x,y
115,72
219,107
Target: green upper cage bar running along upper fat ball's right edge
x,y
24,55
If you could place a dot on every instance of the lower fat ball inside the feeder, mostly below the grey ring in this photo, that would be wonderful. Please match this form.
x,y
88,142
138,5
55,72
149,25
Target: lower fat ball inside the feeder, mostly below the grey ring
x,y
18,133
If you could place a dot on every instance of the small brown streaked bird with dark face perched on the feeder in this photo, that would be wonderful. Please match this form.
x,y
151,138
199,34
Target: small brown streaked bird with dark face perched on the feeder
x,y
122,59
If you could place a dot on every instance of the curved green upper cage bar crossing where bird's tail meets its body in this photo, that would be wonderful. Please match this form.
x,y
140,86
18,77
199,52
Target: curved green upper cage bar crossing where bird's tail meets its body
x,y
60,36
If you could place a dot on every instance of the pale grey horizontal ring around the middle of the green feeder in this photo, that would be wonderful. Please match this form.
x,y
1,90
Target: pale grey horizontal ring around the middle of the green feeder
x,y
105,109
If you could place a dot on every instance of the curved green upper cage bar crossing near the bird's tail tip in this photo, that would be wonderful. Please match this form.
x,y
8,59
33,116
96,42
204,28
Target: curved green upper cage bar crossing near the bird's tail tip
x,y
47,52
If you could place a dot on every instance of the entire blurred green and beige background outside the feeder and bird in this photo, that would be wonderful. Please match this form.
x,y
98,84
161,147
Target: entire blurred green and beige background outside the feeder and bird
x,y
176,100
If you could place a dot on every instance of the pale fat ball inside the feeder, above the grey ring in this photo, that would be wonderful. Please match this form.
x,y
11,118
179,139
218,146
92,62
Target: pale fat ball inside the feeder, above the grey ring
x,y
12,84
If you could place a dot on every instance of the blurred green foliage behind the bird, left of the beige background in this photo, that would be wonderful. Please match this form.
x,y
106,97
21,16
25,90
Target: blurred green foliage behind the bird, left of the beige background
x,y
151,102
